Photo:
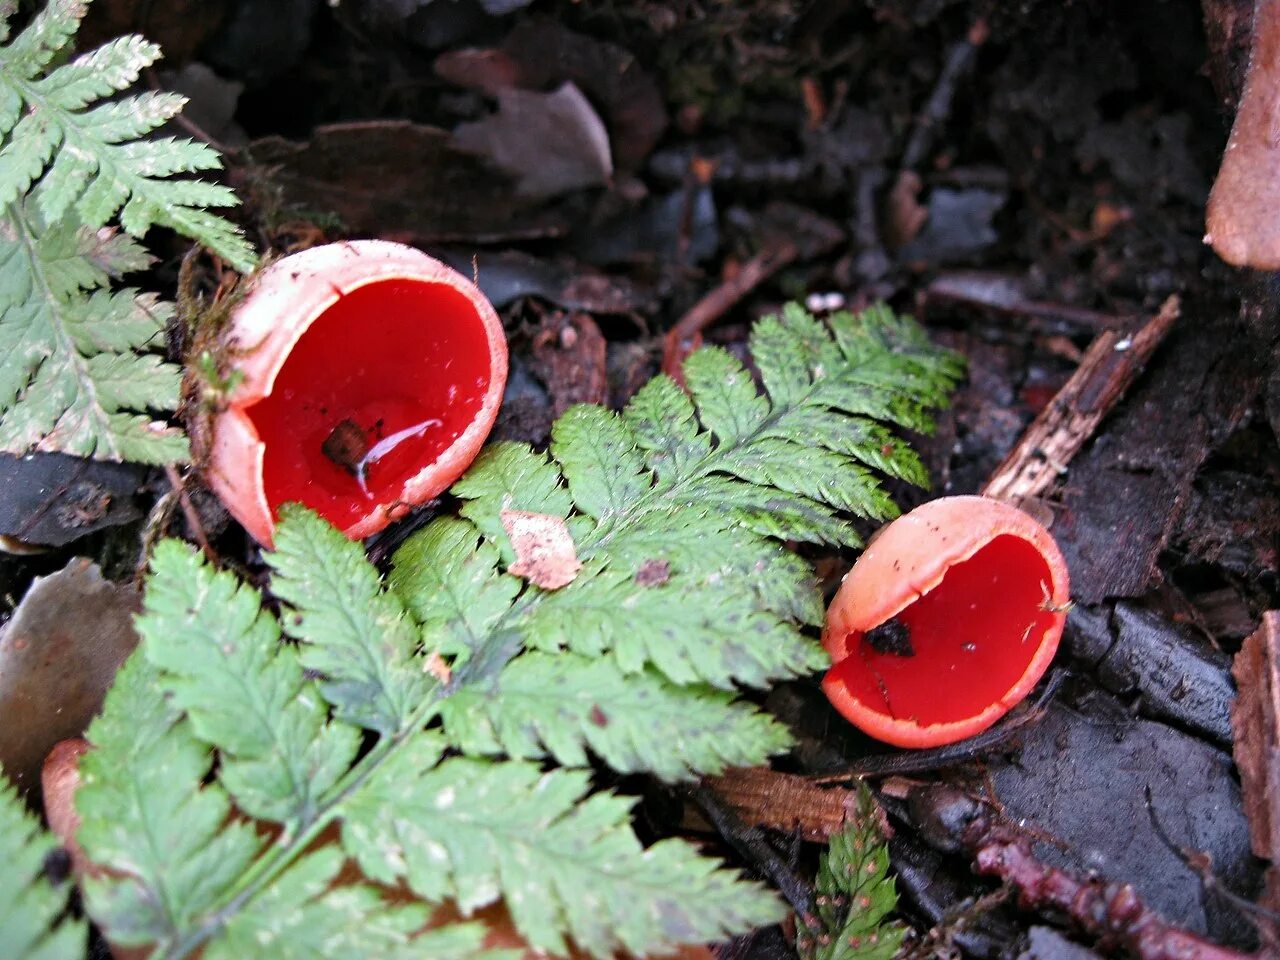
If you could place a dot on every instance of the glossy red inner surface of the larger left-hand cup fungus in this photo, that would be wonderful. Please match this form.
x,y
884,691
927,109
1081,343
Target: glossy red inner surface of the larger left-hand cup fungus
x,y
406,362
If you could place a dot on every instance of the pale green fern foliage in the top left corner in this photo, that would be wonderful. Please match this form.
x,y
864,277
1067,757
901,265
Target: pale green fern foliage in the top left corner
x,y
81,372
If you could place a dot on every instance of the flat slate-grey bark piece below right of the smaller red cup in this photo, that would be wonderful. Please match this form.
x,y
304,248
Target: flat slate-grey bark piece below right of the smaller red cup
x,y
1081,788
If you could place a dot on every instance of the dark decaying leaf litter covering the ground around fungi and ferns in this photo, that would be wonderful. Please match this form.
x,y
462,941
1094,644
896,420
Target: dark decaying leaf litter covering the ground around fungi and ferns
x,y
1028,180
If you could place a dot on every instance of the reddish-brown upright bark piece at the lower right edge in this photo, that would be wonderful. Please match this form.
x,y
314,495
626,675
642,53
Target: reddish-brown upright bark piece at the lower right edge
x,y
1256,721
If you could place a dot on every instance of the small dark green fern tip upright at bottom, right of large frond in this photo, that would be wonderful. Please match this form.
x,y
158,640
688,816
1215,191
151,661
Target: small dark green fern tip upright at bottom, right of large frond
x,y
856,894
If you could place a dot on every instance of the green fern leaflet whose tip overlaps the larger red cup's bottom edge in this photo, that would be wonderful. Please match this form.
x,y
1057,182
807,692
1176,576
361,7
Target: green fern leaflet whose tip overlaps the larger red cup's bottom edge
x,y
355,636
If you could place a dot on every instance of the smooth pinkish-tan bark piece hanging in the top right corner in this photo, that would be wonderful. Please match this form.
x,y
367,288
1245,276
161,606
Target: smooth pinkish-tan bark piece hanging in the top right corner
x,y
1241,222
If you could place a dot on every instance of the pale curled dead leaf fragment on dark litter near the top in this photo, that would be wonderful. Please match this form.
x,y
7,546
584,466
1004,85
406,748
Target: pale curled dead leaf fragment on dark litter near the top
x,y
552,144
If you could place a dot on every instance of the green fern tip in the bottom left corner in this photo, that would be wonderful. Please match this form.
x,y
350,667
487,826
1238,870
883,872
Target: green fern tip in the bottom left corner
x,y
33,911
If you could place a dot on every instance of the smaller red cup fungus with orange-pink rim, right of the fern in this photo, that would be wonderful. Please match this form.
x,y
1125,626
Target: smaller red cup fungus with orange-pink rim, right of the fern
x,y
947,621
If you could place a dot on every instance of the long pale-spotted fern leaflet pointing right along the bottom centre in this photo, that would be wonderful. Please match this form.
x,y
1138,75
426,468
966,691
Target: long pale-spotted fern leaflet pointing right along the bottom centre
x,y
564,862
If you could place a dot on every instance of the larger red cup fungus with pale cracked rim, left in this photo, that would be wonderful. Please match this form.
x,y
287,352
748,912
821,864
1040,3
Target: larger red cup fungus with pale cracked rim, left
x,y
371,376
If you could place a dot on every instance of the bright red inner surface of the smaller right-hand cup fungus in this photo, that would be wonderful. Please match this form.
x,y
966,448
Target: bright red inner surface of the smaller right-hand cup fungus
x,y
973,636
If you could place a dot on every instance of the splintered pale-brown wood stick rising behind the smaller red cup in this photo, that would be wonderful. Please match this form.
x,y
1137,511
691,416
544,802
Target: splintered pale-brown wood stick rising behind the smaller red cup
x,y
1112,364
